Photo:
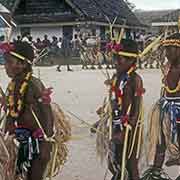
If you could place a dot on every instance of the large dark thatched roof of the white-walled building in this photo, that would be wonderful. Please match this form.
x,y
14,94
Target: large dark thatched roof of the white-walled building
x,y
51,11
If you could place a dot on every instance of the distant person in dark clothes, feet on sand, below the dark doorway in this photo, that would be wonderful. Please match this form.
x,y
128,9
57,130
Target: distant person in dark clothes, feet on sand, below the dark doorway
x,y
66,50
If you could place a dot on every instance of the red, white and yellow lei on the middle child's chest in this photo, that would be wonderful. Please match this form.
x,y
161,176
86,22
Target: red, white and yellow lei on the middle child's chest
x,y
119,93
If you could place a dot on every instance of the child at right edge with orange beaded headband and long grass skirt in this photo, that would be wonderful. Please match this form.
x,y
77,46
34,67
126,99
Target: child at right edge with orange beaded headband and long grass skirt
x,y
164,128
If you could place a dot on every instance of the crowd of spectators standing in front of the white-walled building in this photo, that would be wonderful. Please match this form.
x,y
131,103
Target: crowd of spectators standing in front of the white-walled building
x,y
89,49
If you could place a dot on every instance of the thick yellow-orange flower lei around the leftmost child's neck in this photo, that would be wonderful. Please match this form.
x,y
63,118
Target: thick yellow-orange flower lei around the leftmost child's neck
x,y
15,108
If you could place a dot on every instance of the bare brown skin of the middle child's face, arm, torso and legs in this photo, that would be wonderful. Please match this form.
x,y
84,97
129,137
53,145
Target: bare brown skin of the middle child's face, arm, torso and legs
x,y
122,65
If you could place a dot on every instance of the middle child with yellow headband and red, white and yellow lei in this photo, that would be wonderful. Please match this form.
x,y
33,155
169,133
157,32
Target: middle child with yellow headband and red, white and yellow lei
x,y
126,91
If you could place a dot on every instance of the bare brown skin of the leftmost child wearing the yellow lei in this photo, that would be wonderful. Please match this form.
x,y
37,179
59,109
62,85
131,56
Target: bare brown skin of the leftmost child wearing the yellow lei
x,y
15,69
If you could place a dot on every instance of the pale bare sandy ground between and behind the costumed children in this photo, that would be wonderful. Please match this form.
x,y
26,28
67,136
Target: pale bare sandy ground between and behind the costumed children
x,y
81,92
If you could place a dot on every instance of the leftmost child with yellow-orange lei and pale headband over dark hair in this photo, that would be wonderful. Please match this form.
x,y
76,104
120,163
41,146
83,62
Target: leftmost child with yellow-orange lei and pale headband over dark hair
x,y
26,95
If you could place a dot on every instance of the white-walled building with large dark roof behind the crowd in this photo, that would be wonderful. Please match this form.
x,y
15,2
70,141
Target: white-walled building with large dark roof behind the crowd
x,y
67,17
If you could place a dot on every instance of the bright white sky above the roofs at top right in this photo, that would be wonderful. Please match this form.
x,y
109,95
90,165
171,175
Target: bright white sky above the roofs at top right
x,y
156,4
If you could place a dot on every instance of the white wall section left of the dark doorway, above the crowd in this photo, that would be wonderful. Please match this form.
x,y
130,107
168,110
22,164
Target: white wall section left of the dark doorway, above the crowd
x,y
39,32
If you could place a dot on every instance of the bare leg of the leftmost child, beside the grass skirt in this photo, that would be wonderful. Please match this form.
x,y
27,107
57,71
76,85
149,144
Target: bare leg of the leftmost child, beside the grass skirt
x,y
39,165
